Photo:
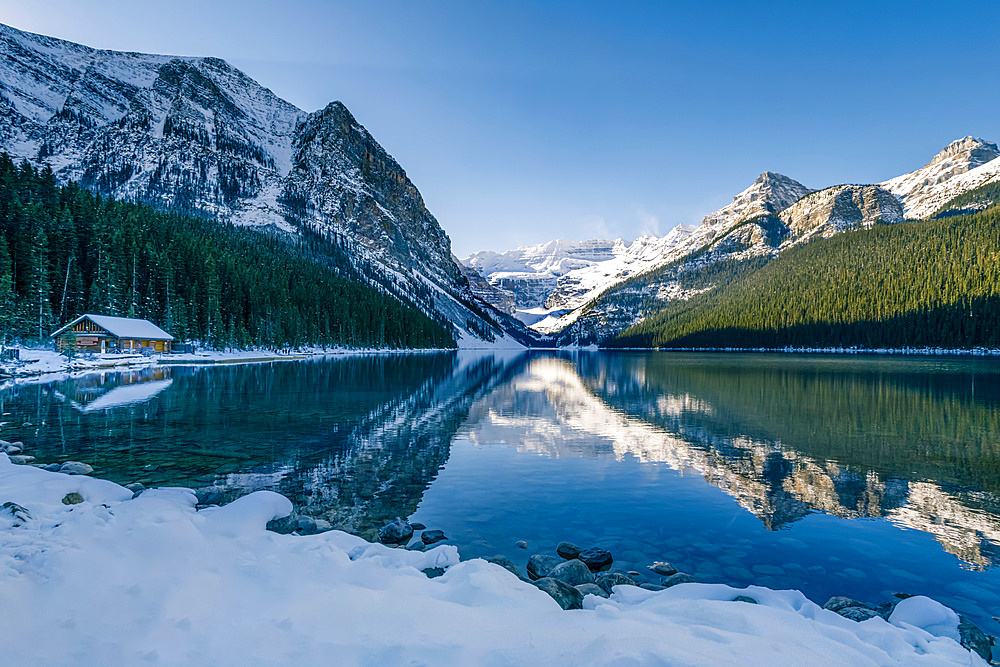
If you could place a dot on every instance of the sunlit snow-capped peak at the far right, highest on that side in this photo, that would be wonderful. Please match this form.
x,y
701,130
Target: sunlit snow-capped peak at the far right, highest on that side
x,y
964,164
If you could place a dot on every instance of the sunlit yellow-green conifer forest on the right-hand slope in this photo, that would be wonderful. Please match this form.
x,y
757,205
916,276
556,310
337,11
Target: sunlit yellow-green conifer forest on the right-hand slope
x,y
927,283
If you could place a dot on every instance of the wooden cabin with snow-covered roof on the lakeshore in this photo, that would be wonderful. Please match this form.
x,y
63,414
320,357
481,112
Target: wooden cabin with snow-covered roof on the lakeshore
x,y
102,333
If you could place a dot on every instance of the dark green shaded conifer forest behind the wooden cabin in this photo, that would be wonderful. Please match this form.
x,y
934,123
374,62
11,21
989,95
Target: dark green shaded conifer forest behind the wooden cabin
x,y
65,251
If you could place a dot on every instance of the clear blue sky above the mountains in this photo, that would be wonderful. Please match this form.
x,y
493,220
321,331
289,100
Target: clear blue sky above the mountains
x,y
521,122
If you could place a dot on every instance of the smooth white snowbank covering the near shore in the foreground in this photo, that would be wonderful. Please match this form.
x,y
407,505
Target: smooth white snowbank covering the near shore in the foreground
x,y
115,580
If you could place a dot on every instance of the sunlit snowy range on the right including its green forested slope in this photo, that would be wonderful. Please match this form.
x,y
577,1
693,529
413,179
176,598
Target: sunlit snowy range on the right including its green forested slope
x,y
616,293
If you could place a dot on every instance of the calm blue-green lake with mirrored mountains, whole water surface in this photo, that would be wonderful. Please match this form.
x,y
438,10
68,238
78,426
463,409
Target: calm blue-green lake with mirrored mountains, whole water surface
x,y
835,475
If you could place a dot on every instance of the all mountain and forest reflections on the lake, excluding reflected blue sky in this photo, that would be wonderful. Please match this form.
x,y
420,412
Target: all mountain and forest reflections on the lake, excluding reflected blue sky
x,y
359,440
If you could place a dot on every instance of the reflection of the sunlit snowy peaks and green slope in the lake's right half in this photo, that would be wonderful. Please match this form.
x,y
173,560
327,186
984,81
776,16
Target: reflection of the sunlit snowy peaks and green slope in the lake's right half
x,y
784,436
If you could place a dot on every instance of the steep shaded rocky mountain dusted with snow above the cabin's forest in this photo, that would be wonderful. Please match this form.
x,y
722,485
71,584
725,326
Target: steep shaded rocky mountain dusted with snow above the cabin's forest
x,y
198,135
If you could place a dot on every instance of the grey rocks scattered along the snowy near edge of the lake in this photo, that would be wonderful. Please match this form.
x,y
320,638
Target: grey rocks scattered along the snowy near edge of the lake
x,y
569,576
